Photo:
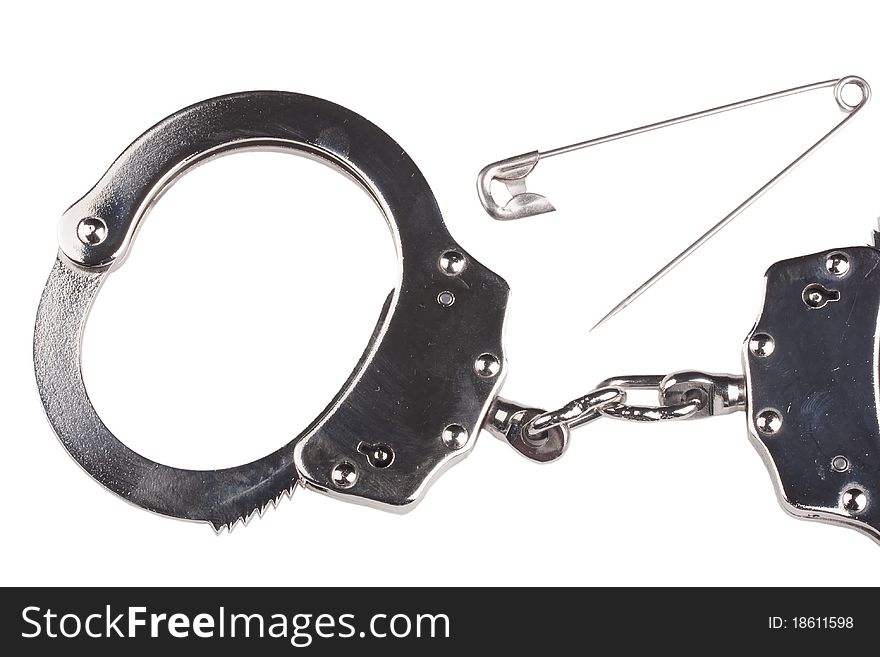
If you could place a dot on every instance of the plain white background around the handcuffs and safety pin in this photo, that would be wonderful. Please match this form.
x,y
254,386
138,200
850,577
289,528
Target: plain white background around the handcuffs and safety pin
x,y
223,355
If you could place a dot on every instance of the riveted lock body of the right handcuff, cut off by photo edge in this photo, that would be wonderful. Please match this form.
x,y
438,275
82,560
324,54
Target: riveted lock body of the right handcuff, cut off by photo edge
x,y
813,401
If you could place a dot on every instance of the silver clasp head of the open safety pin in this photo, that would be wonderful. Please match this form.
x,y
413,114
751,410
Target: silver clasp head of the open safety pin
x,y
512,172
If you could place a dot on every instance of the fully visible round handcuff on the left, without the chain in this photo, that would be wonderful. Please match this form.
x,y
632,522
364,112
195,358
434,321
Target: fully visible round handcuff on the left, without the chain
x,y
415,378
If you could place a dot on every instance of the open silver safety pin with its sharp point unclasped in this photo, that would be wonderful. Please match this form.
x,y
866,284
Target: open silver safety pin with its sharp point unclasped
x,y
514,170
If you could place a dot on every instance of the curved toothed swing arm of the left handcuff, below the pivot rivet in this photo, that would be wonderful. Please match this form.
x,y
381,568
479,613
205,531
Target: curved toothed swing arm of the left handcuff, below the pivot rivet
x,y
221,497
